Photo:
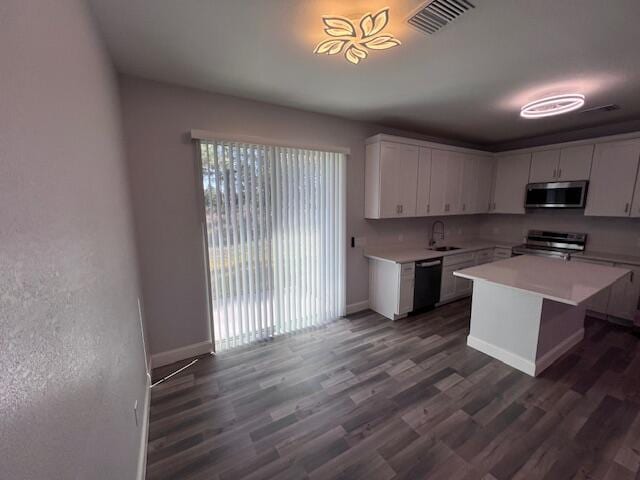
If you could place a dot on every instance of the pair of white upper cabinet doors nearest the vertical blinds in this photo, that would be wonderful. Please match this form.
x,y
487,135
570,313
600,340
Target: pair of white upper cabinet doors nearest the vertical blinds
x,y
398,179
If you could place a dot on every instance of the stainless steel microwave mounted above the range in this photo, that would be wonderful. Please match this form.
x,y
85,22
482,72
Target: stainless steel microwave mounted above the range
x,y
556,195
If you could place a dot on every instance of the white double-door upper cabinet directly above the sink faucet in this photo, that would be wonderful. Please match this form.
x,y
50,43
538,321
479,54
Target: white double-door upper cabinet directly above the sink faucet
x,y
446,182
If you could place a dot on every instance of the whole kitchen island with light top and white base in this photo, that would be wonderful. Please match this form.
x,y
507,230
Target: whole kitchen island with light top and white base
x,y
527,311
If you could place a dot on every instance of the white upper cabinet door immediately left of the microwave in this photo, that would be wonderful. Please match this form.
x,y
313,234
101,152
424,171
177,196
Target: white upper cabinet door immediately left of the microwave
x,y
512,176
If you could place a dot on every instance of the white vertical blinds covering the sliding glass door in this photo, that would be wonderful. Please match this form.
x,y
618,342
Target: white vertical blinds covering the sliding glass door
x,y
275,220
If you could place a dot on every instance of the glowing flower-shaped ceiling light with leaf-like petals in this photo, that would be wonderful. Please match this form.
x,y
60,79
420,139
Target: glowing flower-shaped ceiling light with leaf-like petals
x,y
356,44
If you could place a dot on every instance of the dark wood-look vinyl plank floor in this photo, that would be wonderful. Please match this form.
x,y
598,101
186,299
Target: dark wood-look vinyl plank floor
x,y
367,398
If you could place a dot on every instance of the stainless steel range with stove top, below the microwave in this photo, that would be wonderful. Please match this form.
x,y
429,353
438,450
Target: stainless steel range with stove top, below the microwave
x,y
552,244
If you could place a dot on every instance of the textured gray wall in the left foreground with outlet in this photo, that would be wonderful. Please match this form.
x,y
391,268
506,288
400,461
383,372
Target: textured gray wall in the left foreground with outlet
x,y
70,343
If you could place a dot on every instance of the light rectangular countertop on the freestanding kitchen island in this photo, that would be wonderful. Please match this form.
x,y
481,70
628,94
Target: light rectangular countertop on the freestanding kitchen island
x,y
571,283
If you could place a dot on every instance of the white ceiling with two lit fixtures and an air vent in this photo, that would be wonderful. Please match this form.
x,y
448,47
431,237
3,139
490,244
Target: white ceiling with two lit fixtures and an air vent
x,y
466,82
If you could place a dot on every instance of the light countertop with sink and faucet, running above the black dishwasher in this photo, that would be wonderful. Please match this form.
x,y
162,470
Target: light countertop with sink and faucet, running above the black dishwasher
x,y
409,253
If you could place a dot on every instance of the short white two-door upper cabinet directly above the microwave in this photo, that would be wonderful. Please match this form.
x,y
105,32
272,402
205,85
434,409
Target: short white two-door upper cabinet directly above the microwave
x,y
570,163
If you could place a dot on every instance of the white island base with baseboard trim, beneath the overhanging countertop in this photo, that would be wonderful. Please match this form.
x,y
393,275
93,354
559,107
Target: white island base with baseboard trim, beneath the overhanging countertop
x,y
522,329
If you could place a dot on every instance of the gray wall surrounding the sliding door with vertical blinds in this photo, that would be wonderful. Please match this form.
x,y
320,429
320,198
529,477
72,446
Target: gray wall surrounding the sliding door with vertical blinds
x,y
157,118
